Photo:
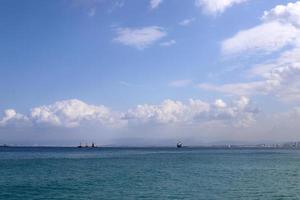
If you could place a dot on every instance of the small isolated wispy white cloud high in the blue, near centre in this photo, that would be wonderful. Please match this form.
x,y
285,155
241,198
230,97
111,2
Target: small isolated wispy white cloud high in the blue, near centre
x,y
139,38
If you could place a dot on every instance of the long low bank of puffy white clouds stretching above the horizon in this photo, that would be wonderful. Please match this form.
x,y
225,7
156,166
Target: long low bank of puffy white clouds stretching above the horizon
x,y
75,113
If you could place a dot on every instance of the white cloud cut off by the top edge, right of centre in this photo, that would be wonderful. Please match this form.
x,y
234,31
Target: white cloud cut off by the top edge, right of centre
x,y
216,6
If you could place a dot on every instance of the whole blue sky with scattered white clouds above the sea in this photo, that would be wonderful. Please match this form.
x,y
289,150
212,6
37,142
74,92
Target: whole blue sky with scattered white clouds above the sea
x,y
149,72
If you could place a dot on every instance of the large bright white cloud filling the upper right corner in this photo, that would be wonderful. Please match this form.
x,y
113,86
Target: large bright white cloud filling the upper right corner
x,y
279,28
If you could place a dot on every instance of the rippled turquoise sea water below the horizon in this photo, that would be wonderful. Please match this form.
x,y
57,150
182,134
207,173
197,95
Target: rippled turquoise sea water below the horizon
x,y
148,173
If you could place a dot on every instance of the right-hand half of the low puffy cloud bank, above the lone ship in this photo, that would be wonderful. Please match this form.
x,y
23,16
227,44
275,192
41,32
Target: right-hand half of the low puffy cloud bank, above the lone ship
x,y
238,113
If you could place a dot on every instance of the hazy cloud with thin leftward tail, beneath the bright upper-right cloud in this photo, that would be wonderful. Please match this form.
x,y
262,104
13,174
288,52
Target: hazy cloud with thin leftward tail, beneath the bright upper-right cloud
x,y
279,77
